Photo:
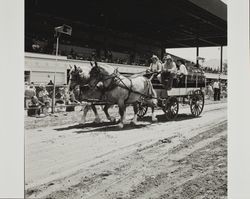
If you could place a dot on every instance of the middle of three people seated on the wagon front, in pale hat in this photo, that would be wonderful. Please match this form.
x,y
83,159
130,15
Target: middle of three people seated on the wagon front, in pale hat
x,y
169,71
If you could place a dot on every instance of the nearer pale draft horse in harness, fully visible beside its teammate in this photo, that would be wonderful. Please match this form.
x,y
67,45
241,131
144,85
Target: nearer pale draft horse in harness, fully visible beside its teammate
x,y
122,90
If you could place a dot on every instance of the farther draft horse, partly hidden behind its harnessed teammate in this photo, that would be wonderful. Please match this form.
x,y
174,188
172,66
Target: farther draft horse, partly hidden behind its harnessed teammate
x,y
78,77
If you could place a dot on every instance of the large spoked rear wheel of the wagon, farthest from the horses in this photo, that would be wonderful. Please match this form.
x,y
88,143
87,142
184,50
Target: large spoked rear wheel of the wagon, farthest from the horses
x,y
197,103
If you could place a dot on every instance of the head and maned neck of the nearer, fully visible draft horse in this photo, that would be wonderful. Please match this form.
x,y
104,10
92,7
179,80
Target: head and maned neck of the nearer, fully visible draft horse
x,y
100,73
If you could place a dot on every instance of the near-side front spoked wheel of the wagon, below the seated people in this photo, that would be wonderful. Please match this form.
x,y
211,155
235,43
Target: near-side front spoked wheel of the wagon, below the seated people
x,y
171,108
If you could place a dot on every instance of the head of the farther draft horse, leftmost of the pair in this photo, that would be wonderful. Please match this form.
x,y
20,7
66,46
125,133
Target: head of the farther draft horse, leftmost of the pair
x,y
77,77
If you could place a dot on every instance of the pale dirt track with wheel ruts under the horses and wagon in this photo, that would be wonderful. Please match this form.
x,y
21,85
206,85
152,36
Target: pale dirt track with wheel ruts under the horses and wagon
x,y
186,158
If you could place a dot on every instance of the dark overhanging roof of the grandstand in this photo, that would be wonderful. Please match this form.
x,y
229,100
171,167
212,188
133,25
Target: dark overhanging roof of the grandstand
x,y
169,23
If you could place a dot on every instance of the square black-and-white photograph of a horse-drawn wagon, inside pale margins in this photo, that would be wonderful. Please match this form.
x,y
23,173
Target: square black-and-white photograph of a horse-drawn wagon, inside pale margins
x,y
125,99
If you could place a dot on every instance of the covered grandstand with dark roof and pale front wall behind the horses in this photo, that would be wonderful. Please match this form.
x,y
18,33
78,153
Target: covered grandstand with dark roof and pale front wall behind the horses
x,y
114,32
